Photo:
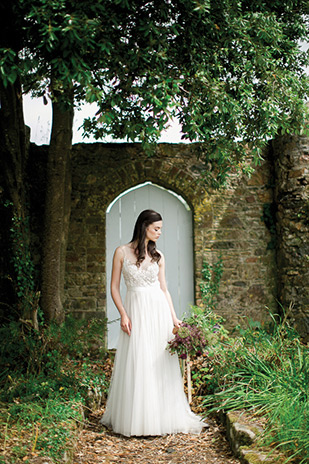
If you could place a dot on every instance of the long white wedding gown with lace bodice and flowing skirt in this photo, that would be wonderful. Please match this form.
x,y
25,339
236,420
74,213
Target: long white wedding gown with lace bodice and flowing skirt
x,y
146,395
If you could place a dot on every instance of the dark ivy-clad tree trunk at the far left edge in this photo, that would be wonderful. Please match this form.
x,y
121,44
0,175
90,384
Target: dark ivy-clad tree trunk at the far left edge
x,y
16,282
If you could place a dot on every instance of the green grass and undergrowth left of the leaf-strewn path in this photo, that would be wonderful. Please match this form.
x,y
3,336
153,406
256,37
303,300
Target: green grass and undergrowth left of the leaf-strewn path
x,y
47,380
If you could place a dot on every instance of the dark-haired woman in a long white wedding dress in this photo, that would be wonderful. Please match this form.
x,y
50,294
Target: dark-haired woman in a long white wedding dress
x,y
146,395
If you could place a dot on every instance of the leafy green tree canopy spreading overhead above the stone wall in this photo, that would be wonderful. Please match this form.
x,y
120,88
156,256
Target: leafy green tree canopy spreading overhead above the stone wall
x,y
231,72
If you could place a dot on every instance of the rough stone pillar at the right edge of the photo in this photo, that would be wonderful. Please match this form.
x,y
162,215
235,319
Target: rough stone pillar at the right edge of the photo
x,y
291,159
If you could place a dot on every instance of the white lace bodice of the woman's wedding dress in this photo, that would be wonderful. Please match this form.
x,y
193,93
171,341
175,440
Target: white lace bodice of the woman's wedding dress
x,y
142,276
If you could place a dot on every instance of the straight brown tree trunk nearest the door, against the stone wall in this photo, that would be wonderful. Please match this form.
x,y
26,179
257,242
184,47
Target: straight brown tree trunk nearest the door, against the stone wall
x,y
57,210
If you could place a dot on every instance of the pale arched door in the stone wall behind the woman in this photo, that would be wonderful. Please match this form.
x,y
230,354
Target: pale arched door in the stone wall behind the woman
x,y
176,242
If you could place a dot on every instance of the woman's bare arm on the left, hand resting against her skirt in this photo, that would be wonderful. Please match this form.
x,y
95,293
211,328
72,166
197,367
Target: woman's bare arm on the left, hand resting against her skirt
x,y
125,323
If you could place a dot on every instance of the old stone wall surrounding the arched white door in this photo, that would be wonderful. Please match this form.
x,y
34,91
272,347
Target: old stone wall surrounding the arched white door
x,y
229,222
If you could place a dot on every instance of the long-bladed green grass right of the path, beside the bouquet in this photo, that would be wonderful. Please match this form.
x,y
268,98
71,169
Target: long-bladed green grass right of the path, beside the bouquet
x,y
265,371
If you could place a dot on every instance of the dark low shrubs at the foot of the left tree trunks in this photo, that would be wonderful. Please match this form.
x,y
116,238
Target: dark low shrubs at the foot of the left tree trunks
x,y
25,350
